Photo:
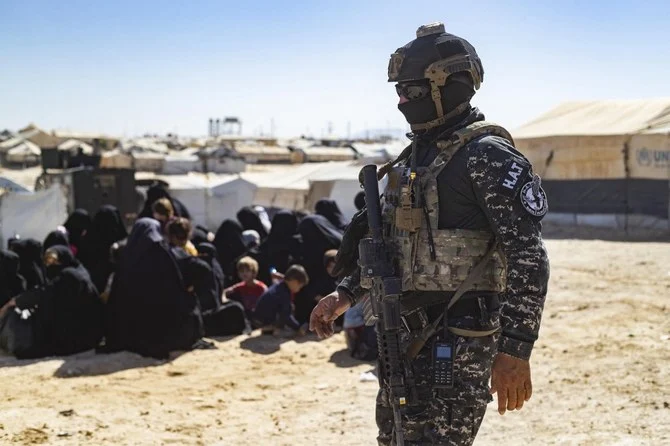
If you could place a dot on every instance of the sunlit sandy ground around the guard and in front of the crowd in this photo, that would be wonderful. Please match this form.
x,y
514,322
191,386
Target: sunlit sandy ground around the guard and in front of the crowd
x,y
601,371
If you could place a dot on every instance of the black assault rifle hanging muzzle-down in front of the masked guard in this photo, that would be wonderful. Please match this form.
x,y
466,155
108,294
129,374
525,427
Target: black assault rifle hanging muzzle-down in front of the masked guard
x,y
384,301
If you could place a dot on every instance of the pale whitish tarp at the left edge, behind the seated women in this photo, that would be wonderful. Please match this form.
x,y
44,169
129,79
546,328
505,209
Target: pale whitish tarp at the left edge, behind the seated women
x,y
32,215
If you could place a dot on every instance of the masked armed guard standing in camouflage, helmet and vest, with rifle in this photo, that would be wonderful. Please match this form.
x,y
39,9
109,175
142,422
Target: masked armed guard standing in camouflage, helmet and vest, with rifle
x,y
455,274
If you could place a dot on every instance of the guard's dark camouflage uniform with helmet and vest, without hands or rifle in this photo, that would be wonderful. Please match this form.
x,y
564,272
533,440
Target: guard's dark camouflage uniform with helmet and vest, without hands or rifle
x,y
486,190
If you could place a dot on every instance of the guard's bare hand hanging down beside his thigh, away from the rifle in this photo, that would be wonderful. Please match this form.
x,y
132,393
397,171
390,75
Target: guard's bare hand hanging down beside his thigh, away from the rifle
x,y
510,378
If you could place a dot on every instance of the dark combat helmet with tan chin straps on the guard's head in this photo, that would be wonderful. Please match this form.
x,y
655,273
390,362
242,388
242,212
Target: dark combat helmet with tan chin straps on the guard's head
x,y
435,56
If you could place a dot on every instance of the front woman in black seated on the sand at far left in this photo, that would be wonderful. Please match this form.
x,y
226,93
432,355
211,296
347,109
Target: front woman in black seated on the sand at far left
x,y
64,316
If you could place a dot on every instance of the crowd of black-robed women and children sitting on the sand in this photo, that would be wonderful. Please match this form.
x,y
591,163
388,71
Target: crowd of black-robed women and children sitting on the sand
x,y
166,283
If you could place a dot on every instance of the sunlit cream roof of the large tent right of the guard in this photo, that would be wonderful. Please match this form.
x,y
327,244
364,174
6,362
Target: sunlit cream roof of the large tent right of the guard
x,y
598,118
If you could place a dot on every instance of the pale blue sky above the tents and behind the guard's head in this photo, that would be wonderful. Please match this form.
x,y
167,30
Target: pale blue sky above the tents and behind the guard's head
x,y
129,67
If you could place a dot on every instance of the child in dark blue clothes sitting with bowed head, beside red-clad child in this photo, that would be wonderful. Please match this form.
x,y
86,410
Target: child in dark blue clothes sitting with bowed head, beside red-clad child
x,y
273,310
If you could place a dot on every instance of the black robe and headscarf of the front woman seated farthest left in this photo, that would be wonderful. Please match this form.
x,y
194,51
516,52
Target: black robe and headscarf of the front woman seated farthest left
x,y
68,318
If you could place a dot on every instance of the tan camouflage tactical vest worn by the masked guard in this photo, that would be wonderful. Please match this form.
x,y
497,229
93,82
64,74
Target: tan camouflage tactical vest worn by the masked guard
x,y
432,259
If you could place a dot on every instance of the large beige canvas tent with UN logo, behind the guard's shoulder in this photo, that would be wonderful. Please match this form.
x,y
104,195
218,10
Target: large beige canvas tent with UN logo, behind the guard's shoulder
x,y
604,163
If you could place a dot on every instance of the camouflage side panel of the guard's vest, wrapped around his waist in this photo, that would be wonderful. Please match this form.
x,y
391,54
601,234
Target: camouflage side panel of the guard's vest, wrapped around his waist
x,y
457,251
